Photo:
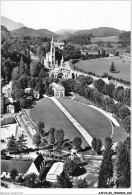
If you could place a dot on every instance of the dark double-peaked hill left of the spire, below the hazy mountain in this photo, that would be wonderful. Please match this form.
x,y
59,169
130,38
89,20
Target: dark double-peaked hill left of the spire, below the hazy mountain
x,y
32,32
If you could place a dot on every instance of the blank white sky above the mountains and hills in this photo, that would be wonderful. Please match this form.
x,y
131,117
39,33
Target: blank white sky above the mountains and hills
x,y
79,15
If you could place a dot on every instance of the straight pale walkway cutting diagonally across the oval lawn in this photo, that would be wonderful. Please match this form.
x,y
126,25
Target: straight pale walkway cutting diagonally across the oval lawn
x,y
84,133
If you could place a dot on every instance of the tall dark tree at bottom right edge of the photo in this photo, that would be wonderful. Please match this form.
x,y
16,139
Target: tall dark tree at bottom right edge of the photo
x,y
122,165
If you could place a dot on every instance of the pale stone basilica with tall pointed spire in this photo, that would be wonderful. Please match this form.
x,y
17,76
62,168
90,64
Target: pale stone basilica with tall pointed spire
x,y
57,70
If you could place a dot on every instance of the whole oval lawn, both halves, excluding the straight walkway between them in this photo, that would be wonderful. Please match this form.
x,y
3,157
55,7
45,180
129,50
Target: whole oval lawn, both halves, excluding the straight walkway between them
x,y
93,121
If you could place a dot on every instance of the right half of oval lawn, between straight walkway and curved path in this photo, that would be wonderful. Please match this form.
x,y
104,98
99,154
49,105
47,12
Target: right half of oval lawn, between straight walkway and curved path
x,y
92,120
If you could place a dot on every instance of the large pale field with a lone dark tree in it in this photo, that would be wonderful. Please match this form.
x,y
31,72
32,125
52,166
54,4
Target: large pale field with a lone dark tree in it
x,y
101,65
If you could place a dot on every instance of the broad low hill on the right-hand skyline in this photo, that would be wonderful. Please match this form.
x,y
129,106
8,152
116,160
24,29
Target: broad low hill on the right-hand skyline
x,y
99,32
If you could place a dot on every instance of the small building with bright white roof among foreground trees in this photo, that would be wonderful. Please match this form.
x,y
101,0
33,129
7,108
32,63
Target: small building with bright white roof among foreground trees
x,y
56,170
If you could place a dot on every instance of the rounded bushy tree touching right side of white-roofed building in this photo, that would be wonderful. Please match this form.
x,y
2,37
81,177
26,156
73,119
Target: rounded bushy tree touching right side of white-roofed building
x,y
69,167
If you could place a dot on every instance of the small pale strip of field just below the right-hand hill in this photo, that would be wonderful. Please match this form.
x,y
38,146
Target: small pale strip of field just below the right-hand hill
x,y
105,39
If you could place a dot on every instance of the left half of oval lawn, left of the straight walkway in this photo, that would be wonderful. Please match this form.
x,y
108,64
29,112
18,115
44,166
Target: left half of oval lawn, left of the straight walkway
x,y
45,110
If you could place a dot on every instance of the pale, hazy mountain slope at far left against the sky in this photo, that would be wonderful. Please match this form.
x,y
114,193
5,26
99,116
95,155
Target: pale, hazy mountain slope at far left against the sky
x,y
10,24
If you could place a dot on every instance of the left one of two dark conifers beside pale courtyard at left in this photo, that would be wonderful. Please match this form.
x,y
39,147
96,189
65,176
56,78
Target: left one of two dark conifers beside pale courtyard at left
x,y
12,144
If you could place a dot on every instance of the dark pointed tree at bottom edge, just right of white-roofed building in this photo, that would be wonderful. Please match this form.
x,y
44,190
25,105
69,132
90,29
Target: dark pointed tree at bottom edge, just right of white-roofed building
x,y
63,181
